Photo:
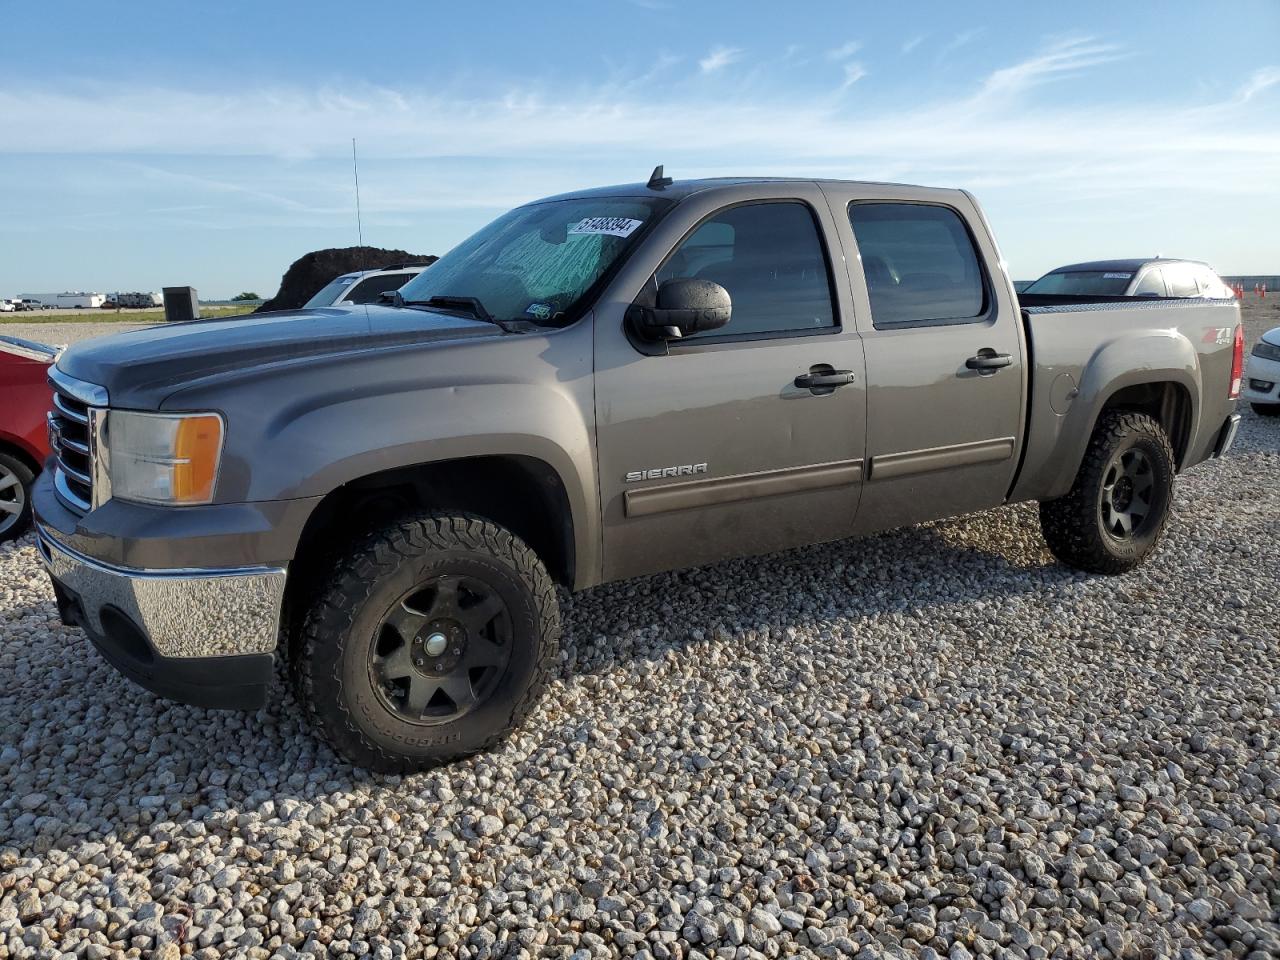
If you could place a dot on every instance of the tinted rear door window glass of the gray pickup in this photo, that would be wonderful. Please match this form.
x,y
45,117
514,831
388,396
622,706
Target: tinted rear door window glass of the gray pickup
x,y
921,264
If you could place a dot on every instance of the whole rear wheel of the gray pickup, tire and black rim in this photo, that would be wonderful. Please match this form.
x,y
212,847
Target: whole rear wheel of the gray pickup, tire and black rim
x,y
1116,513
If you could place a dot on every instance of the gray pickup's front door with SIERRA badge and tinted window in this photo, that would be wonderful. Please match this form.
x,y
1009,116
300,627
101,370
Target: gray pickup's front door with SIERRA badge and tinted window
x,y
708,446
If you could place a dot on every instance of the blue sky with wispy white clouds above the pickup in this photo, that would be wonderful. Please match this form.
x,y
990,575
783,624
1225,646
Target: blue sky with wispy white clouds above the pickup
x,y
153,144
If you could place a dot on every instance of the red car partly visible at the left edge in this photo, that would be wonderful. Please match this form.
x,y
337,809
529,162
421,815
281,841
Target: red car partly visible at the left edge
x,y
25,403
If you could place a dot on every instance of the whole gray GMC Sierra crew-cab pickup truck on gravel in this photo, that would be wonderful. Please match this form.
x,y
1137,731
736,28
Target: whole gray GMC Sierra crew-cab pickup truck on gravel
x,y
598,386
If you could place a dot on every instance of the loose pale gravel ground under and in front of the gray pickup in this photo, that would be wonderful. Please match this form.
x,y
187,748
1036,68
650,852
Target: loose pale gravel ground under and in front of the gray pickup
x,y
934,743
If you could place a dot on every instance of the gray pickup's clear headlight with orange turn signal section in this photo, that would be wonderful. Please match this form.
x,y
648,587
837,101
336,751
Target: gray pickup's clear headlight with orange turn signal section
x,y
164,458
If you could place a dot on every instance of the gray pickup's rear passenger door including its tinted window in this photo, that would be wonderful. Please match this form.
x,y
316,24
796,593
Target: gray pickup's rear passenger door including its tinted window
x,y
944,346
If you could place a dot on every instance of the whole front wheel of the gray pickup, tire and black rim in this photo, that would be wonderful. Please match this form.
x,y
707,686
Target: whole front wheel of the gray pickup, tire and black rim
x,y
432,642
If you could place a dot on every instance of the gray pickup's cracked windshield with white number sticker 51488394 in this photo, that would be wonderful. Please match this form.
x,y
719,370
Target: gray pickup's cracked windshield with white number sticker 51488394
x,y
541,263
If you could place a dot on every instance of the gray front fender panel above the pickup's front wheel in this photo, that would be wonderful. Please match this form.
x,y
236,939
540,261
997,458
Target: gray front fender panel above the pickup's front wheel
x,y
304,431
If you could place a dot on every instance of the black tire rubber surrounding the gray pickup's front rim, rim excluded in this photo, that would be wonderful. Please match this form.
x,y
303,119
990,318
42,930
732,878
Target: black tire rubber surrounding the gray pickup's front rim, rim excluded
x,y
333,674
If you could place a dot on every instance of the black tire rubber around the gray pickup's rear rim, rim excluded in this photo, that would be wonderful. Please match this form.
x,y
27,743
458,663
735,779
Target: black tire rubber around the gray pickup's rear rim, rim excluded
x,y
1075,525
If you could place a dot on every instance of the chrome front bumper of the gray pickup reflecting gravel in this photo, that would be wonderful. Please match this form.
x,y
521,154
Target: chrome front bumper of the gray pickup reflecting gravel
x,y
181,614
